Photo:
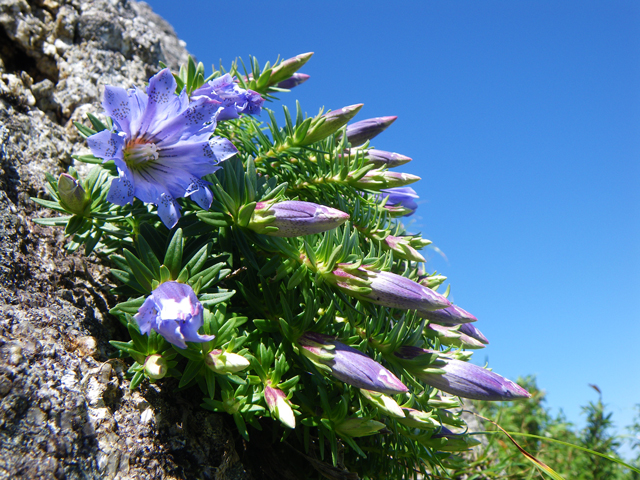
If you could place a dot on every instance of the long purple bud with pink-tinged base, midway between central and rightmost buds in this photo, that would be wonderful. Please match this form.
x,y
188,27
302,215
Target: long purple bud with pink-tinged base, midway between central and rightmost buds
x,y
386,288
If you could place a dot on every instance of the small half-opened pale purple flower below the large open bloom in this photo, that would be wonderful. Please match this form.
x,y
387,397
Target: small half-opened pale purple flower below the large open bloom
x,y
173,310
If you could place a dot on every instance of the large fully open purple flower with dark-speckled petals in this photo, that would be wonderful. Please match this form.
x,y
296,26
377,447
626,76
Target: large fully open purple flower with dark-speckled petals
x,y
161,145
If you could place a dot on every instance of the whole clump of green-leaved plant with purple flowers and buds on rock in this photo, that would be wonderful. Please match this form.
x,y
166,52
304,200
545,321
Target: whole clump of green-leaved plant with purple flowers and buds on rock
x,y
268,267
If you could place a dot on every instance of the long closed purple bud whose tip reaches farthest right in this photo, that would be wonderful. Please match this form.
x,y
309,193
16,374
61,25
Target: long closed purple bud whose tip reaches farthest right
x,y
463,379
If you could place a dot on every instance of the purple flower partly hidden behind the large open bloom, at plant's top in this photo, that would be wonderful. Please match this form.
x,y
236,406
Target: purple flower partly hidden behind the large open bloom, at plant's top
x,y
234,99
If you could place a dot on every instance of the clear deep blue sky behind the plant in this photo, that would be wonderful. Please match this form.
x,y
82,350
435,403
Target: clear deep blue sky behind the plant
x,y
523,121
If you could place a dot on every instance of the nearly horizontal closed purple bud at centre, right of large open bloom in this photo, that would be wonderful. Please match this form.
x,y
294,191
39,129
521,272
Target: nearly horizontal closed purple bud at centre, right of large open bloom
x,y
293,218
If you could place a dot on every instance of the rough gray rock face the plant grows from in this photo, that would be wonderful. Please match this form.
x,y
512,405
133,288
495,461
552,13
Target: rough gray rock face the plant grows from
x,y
66,411
